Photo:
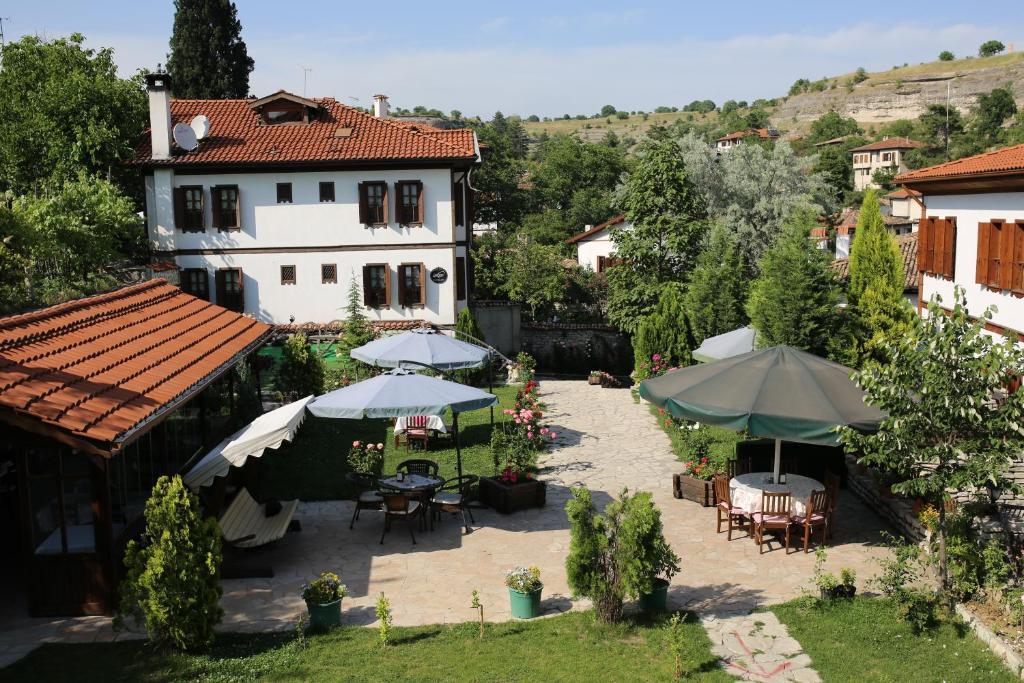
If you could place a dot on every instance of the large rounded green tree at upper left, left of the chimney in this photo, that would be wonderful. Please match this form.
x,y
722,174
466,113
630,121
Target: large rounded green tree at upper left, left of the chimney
x,y
64,112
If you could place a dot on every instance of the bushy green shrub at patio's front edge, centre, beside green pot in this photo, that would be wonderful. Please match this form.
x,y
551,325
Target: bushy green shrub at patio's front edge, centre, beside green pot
x,y
618,554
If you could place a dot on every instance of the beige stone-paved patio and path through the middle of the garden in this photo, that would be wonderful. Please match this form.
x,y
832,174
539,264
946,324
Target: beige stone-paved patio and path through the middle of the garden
x,y
606,442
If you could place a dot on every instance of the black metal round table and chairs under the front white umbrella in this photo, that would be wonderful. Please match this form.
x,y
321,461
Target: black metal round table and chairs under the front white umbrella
x,y
414,494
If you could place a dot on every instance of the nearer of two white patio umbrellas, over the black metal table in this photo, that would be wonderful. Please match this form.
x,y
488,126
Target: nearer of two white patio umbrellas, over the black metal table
x,y
402,393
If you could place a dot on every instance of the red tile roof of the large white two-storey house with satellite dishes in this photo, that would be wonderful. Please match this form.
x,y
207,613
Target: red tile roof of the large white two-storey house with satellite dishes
x,y
238,137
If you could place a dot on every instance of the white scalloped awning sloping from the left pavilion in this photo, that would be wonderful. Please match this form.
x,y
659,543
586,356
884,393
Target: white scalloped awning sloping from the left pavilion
x,y
268,432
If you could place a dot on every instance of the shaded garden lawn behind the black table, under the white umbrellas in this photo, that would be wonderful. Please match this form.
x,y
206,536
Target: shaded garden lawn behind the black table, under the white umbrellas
x,y
314,466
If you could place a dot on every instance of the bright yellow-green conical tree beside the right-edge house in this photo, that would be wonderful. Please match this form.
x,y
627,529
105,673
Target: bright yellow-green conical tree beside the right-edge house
x,y
876,294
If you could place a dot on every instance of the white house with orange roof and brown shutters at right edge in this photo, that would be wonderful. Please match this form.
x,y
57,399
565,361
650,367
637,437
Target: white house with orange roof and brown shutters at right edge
x,y
972,234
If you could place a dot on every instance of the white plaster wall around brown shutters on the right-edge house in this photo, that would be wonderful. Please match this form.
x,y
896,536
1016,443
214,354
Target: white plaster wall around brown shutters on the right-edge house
x,y
969,211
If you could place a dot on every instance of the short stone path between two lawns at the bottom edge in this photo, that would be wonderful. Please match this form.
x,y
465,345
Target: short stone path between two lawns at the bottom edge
x,y
758,648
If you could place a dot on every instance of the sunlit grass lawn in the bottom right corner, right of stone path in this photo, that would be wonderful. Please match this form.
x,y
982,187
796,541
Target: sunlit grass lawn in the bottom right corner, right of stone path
x,y
868,641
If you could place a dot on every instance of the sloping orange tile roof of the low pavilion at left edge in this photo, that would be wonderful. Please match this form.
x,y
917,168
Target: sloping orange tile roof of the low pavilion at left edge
x,y
98,367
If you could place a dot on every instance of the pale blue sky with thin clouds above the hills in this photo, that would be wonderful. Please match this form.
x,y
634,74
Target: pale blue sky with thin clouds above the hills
x,y
547,58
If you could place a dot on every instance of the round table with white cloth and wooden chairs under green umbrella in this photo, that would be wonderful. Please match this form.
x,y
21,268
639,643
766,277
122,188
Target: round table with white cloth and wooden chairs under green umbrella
x,y
760,503
